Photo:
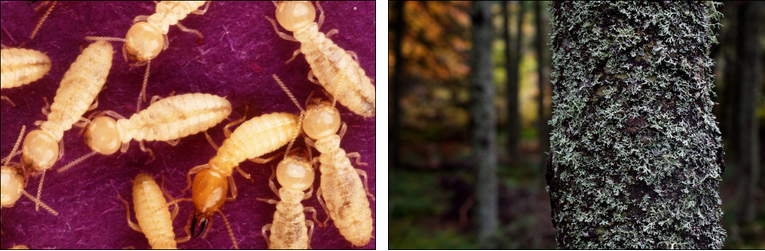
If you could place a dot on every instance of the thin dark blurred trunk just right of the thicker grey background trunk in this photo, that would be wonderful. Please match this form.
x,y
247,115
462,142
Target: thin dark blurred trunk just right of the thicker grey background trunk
x,y
512,57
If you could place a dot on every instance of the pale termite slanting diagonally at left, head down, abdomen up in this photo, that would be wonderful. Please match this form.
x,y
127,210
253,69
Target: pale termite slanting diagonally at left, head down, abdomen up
x,y
79,88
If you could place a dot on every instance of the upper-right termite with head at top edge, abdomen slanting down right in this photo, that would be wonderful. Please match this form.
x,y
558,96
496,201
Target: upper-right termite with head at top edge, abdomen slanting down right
x,y
331,66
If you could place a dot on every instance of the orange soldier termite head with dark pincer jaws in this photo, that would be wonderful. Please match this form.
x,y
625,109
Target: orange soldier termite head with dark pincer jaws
x,y
208,193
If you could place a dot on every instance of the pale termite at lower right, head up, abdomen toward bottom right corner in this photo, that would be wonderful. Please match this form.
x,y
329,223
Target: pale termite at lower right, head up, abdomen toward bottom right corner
x,y
340,184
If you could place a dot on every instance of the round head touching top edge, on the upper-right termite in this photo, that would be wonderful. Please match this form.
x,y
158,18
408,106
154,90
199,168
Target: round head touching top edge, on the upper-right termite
x,y
295,15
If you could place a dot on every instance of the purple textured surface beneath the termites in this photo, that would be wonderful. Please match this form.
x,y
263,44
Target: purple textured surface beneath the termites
x,y
236,58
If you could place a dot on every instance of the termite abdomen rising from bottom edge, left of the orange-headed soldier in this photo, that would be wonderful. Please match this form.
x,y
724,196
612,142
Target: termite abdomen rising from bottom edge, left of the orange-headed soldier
x,y
154,218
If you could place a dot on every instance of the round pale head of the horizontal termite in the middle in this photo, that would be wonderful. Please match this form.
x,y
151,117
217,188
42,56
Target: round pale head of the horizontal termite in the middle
x,y
102,135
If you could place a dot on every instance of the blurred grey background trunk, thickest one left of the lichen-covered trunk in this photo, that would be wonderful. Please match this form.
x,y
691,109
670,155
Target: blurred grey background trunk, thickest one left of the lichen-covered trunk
x,y
483,116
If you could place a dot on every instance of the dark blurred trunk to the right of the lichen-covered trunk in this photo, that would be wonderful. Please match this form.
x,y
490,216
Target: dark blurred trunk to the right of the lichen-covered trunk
x,y
749,84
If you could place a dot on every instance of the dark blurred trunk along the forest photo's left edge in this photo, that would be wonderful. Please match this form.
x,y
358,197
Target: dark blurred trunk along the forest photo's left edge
x,y
395,133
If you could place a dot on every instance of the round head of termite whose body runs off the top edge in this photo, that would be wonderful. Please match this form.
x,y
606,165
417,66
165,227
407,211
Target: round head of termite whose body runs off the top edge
x,y
143,42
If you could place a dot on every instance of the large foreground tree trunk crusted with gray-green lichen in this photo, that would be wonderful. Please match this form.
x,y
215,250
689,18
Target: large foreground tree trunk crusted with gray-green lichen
x,y
636,156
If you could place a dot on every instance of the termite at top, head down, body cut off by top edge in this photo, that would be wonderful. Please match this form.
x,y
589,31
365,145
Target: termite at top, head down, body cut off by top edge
x,y
148,35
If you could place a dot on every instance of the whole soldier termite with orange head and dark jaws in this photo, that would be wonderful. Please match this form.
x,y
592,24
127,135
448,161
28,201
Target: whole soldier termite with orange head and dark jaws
x,y
252,139
